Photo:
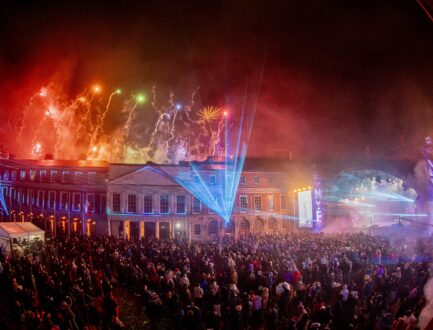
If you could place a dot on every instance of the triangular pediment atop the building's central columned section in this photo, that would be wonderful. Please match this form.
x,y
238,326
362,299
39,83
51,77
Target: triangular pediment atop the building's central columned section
x,y
147,175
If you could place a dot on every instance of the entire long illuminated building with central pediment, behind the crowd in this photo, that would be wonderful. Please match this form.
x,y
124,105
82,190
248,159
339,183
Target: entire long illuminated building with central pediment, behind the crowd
x,y
141,200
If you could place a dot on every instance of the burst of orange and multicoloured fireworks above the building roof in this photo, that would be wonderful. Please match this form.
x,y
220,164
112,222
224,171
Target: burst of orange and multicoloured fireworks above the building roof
x,y
84,128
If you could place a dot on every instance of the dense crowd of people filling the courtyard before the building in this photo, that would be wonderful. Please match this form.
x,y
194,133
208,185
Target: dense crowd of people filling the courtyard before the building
x,y
293,281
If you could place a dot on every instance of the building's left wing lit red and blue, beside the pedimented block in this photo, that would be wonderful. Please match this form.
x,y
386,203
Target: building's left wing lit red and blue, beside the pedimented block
x,y
61,197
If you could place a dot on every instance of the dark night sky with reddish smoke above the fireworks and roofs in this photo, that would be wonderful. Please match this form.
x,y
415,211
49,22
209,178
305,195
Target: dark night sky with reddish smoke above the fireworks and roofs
x,y
338,75
